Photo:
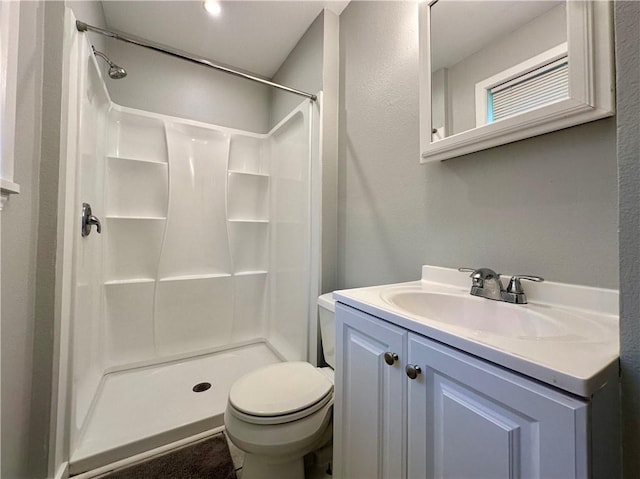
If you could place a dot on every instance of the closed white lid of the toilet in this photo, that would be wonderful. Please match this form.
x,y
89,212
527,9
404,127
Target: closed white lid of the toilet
x,y
279,389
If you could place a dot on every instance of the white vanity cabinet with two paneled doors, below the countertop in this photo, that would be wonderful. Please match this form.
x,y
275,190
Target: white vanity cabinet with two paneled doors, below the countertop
x,y
461,417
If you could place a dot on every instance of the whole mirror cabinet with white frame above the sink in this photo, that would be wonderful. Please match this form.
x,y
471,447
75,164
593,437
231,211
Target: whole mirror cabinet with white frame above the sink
x,y
493,72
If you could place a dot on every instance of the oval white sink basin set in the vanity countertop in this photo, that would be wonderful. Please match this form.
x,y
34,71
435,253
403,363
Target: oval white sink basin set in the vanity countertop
x,y
482,315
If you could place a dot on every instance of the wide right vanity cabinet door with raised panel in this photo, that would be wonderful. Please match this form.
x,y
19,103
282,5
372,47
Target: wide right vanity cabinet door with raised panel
x,y
470,419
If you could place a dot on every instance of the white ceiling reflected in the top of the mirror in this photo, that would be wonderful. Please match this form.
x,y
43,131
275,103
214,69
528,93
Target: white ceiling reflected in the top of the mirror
x,y
461,28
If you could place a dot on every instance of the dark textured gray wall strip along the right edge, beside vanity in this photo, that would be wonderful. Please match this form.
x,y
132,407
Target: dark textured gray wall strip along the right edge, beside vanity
x,y
627,16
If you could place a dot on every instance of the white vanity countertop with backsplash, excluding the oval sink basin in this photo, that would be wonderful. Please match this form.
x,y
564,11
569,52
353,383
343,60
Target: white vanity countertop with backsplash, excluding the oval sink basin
x,y
580,361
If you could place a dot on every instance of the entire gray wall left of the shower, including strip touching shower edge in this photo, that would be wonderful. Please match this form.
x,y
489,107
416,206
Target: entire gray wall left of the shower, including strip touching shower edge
x,y
29,246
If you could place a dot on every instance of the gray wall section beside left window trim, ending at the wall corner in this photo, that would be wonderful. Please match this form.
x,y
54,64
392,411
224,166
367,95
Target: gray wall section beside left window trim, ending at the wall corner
x,y
19,227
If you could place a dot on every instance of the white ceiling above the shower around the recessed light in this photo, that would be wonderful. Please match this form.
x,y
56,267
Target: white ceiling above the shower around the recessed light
x,y
255,36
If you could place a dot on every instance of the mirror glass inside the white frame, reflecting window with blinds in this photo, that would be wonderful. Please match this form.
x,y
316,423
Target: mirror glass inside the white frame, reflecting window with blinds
x,y
492,60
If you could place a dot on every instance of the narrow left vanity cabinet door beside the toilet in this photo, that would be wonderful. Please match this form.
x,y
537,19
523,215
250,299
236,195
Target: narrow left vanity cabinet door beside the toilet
x,y
370,407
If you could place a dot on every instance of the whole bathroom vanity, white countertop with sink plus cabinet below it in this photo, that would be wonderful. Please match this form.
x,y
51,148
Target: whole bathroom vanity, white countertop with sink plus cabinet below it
x,y
525,391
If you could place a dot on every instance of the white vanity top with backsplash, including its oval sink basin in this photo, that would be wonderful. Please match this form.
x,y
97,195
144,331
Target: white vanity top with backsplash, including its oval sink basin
x,y
566,336
